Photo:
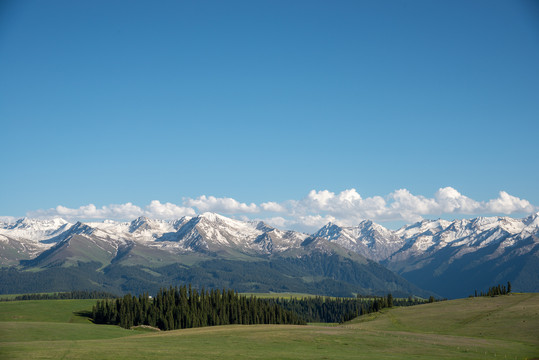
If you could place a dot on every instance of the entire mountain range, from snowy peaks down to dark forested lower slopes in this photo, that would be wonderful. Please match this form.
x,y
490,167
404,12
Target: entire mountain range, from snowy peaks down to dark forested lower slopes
x,y
445,258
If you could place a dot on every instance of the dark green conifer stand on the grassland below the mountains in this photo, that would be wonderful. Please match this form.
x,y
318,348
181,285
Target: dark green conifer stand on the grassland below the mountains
x,y
186,307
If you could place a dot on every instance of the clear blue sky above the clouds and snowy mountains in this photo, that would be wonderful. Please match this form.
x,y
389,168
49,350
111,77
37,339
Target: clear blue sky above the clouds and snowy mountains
x,y
256,102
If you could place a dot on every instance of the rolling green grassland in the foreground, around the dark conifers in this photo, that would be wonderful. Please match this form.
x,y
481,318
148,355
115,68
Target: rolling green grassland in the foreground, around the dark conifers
x,y
505,327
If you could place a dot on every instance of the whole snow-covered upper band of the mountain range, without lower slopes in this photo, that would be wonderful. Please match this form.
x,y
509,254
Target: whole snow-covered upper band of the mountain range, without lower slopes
x,y
212,232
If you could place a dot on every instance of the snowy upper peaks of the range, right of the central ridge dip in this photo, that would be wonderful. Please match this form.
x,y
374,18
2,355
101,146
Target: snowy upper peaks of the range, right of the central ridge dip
x,y
428,237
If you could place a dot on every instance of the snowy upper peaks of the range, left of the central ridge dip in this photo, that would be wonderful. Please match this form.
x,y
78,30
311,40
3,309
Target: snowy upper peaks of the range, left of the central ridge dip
x,y
207,232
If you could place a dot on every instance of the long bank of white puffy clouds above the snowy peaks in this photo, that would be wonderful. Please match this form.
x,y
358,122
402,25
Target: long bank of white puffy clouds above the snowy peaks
x,y
314,210
